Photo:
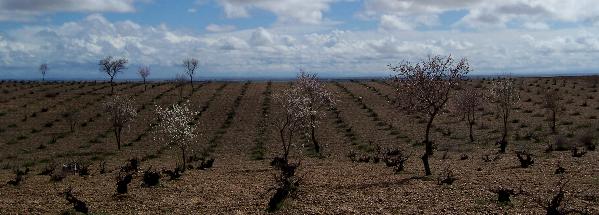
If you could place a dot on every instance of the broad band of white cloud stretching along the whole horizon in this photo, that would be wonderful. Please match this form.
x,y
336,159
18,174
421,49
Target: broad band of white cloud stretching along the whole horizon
x,y
283,49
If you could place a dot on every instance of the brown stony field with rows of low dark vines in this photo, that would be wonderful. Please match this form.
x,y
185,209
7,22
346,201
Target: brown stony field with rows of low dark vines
x,y
234,126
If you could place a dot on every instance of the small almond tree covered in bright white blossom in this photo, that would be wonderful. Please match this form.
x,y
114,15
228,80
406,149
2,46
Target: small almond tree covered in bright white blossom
x,y
176,127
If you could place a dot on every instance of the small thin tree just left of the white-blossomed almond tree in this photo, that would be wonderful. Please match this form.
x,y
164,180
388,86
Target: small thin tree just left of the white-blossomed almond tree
x,y
121,111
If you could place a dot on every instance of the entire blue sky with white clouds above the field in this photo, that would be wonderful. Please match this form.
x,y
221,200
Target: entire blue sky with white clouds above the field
x,y
274,38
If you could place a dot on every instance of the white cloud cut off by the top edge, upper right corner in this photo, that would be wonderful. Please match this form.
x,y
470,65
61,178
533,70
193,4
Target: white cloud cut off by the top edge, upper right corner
x,y
481,14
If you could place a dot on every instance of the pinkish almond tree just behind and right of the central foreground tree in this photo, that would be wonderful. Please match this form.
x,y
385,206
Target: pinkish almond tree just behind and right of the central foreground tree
x,y
318,98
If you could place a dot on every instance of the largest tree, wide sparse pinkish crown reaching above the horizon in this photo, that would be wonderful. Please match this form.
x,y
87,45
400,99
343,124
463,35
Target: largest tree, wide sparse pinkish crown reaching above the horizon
x,y
424,88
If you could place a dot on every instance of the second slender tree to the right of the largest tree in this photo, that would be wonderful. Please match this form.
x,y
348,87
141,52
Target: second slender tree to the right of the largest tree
x,y
504,94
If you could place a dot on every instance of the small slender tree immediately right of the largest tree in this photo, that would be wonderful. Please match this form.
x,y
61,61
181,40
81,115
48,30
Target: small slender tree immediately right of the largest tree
x,y
467,102
